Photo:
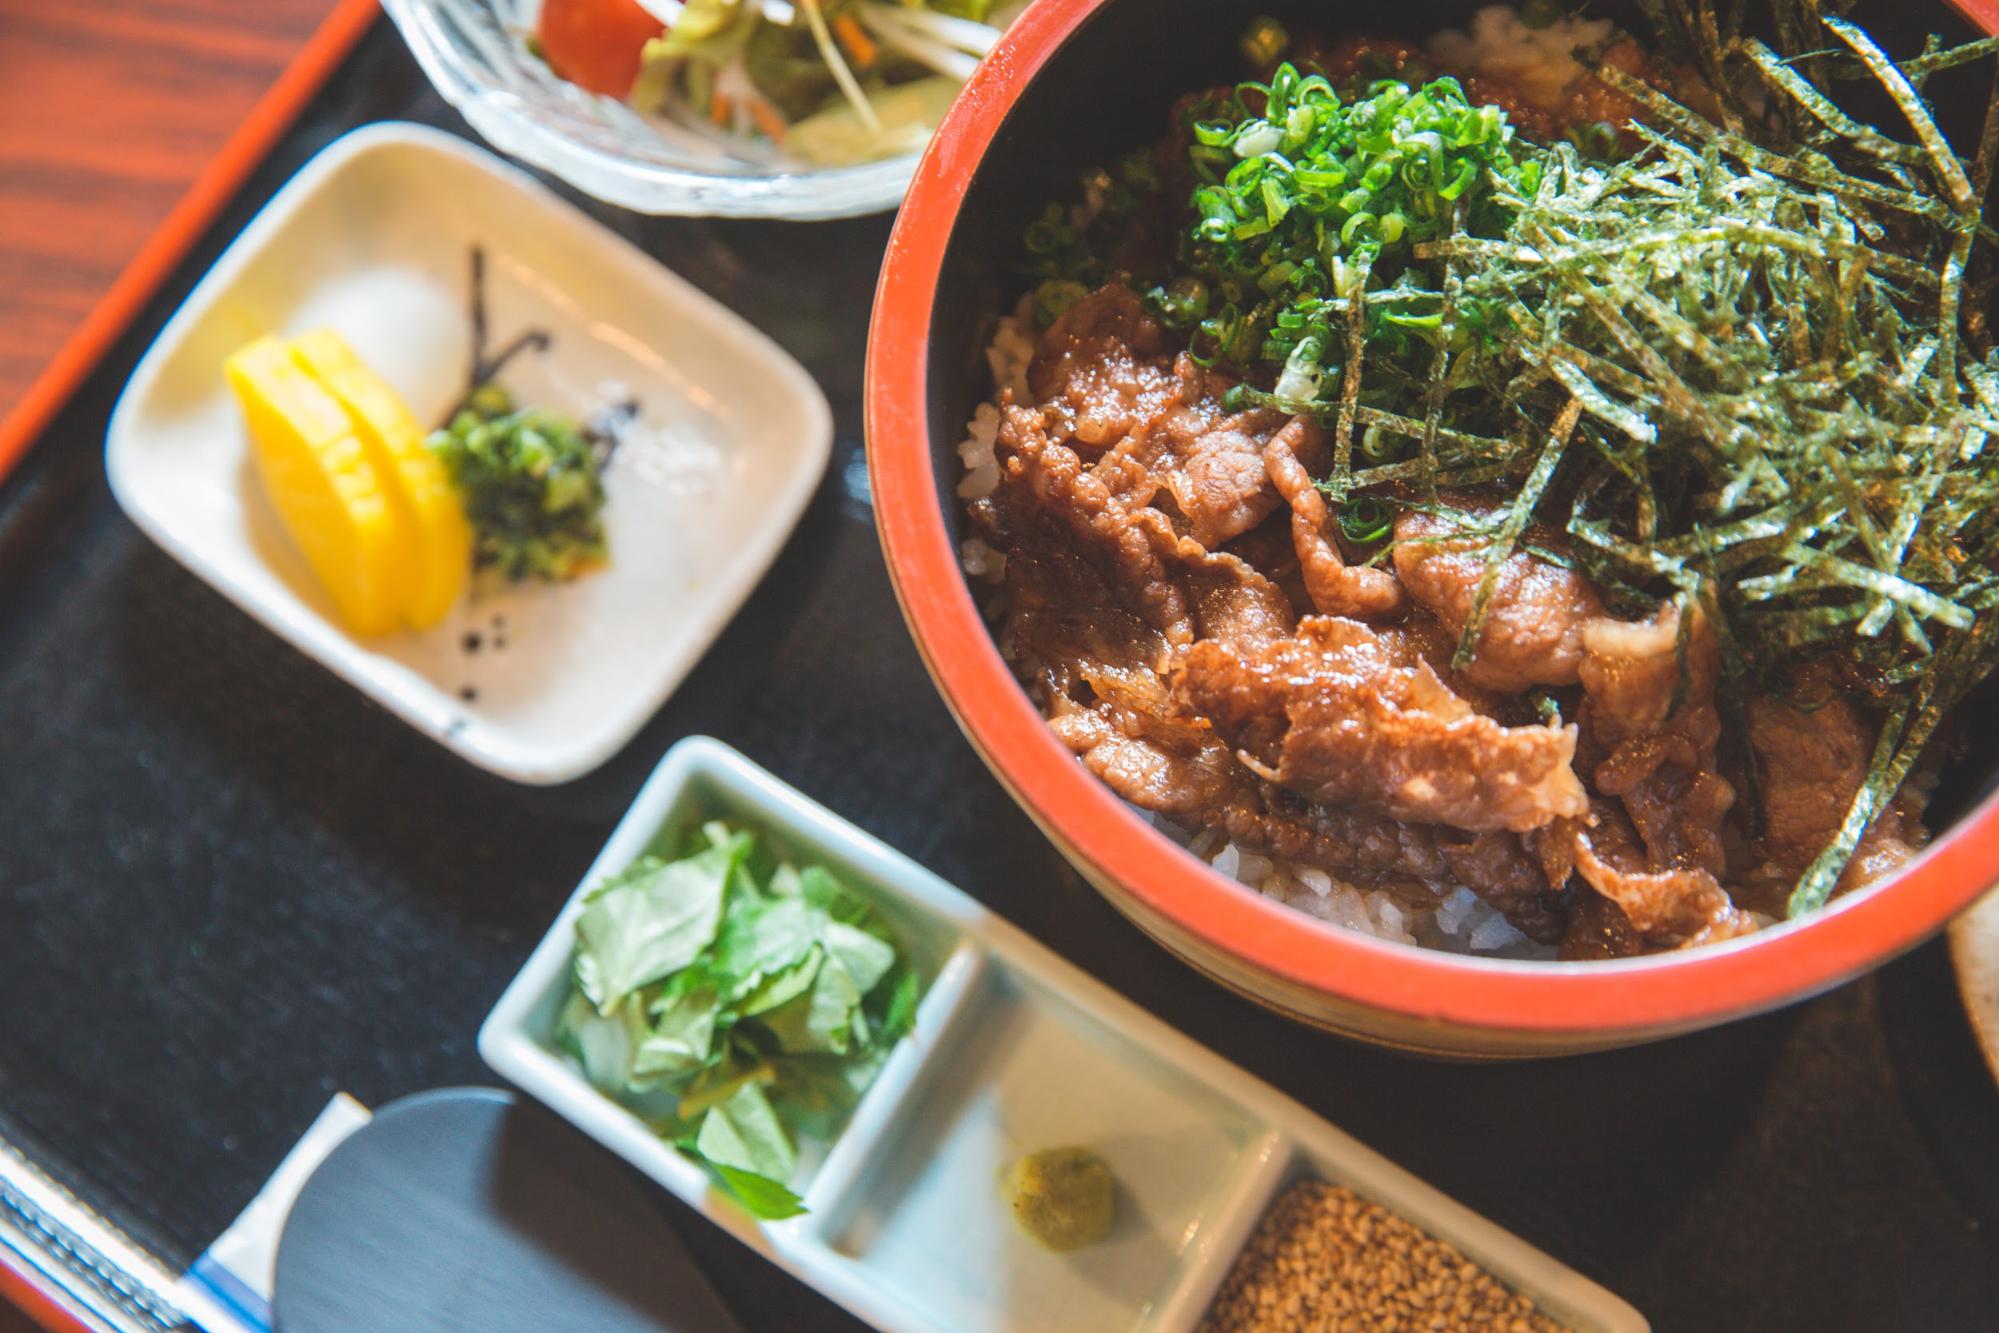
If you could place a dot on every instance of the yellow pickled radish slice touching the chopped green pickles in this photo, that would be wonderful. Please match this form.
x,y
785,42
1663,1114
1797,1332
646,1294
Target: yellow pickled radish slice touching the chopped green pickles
x,y
419,485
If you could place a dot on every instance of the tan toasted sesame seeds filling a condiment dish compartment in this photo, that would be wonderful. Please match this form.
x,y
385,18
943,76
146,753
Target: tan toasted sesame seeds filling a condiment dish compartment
x,y
1328,1262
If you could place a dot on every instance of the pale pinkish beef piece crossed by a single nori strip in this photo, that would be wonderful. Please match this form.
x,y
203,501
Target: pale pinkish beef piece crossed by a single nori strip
x,y
1532,631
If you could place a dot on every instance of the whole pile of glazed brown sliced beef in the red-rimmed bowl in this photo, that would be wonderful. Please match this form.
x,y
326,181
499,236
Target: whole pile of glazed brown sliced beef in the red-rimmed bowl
x,y
1158,549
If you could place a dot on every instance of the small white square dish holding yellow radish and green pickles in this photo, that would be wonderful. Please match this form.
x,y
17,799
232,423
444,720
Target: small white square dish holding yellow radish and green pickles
x,y
373,239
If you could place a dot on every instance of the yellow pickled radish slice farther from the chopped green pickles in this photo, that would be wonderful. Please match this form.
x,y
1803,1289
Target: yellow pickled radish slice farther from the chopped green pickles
x,y
319,477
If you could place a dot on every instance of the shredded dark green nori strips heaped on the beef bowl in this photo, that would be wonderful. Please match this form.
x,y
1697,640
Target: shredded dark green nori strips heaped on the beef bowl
x,y
1744,377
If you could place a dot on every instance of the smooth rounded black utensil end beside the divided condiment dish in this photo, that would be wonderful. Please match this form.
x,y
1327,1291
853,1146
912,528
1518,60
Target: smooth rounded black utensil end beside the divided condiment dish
x,y
473,1210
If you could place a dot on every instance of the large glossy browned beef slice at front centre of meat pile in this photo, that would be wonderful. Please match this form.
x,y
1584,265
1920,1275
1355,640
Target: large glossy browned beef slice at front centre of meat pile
x,y
1346,716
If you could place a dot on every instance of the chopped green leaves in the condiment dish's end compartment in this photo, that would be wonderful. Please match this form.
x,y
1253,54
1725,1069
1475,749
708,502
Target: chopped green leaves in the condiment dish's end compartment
x,y
737,1000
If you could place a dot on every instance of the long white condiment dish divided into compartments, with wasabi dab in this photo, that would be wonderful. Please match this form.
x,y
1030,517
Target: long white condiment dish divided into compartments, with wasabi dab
x,y
1014,1050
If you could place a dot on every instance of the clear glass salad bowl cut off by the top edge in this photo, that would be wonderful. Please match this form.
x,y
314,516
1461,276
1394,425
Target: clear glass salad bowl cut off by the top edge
x,y
479,57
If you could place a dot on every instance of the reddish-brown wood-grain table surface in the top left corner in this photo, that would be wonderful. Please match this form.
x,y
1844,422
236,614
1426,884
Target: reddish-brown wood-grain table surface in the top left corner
x,y
109,109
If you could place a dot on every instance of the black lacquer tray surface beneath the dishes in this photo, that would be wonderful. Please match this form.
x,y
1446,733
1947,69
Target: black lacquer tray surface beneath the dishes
x,y
231,886
